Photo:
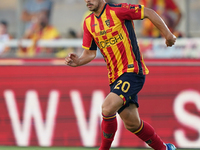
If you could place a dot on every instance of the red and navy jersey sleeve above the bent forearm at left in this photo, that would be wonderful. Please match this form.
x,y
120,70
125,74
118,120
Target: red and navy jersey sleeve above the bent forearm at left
x,y
88,40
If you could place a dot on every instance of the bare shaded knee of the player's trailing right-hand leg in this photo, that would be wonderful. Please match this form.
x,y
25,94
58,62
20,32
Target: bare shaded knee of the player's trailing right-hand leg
x,y
130,117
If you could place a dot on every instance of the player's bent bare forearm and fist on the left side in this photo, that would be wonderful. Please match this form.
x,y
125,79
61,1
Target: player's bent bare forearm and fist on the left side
x,y
74,61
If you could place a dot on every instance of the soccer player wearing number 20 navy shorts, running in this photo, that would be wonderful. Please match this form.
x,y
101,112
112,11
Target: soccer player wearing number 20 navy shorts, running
x,y
110,27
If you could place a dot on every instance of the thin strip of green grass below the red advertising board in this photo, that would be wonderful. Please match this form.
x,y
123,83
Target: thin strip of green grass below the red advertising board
x,y
68,148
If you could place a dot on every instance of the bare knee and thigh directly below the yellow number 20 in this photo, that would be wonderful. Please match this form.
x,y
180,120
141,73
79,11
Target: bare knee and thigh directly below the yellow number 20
x,y
112,104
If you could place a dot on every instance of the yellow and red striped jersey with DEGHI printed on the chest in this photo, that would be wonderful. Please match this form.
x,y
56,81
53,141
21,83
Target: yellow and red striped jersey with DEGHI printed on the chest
x,y
113,32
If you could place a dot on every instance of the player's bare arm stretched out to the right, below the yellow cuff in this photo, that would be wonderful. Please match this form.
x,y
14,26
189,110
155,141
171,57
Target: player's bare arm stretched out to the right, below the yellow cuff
x,y
160,24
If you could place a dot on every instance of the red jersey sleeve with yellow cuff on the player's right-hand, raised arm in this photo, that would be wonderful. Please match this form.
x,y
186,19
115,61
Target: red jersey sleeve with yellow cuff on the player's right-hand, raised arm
x,y
130,11
